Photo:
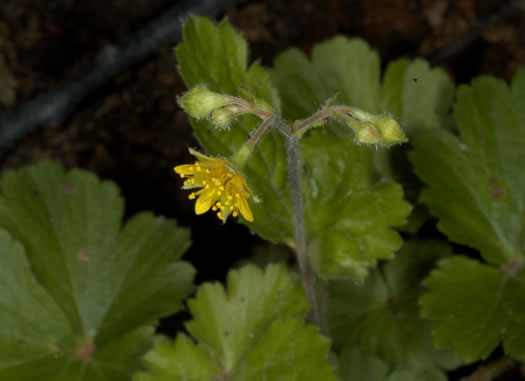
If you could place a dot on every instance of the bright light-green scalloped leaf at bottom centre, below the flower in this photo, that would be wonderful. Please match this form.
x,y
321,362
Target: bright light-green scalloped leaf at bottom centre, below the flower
x,y
252,331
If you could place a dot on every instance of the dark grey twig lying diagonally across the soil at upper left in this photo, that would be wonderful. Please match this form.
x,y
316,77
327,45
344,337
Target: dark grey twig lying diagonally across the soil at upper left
x,y
58,103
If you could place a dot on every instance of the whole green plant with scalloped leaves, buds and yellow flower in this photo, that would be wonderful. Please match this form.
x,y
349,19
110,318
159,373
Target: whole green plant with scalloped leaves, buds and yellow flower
x,y
306,154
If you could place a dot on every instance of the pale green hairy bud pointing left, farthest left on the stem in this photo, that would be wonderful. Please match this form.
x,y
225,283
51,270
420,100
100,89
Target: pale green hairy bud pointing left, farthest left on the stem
x,y
199,102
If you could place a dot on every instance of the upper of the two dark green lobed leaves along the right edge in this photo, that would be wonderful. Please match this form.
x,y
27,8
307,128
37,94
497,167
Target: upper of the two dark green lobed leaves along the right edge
x,y
475,185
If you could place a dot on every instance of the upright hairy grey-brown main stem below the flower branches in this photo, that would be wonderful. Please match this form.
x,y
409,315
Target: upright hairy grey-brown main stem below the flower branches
x,y
294,178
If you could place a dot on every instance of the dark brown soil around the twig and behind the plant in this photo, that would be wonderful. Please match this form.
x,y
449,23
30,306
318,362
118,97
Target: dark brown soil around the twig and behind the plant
x,y
133,132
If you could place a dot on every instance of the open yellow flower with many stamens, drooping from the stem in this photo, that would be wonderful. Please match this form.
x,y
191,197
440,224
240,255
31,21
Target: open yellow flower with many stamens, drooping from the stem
x,y
223,187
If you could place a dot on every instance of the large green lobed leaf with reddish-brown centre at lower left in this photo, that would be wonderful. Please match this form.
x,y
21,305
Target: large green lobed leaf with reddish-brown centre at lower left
x,y
98,286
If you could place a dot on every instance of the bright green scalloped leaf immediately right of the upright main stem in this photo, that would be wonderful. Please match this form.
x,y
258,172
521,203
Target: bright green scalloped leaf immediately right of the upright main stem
x,y
348,217
